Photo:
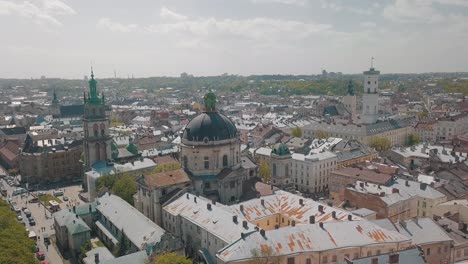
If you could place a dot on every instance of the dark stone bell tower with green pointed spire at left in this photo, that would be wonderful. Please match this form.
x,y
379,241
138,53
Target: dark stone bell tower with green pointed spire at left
x,y
97,141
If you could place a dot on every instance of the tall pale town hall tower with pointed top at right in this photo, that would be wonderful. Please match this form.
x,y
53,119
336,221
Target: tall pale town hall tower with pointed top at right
x,y
370,97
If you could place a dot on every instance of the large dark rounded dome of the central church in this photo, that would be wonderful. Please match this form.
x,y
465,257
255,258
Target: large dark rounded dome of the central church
x,y
210,126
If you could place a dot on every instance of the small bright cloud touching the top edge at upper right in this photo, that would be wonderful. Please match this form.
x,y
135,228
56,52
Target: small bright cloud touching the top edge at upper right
x,y
412,11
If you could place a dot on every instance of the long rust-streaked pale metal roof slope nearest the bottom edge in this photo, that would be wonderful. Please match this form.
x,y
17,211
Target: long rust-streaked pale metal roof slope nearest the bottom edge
x,y
311,238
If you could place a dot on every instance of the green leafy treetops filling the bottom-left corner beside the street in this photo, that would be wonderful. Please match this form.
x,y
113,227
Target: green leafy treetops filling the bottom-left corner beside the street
x,y
15,246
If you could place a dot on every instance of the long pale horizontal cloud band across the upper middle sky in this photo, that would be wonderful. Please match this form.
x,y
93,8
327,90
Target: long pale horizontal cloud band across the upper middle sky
x,y
258,28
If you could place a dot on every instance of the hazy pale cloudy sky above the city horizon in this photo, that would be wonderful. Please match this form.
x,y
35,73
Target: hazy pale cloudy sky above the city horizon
x,y
143,38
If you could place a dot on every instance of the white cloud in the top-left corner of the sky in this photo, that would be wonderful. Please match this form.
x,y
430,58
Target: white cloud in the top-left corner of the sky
x,y
39,11
